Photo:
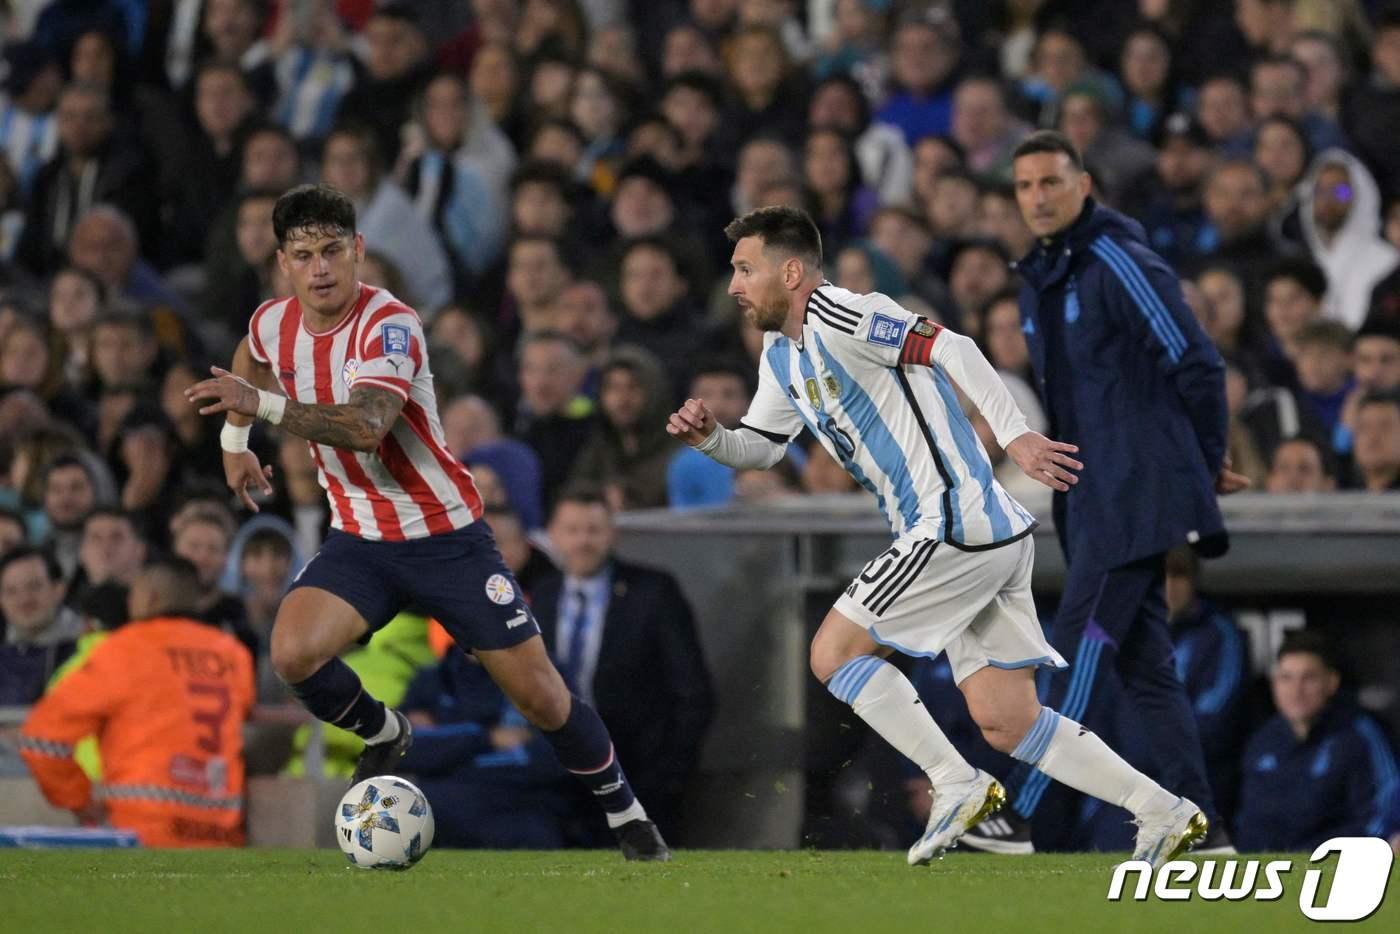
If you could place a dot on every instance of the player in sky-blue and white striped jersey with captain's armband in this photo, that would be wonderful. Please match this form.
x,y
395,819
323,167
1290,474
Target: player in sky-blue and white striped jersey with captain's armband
x,y
876,384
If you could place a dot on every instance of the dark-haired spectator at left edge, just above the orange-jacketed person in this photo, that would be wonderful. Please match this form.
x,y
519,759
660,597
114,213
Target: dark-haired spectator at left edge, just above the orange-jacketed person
x,y
40,629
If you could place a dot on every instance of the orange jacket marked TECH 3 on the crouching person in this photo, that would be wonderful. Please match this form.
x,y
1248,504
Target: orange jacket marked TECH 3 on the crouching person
x,y
167,701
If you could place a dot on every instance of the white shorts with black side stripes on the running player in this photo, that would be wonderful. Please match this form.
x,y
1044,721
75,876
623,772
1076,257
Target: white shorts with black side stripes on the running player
x,y
923,597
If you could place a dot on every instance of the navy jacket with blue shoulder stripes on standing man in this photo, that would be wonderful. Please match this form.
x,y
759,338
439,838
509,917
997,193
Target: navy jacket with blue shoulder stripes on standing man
x,y
1128,375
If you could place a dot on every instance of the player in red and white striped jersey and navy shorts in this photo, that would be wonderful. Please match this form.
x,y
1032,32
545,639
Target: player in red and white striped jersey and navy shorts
x,y
345,368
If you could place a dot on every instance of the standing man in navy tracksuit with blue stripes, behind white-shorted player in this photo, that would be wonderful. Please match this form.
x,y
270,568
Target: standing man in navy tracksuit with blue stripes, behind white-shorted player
x,y
1126,375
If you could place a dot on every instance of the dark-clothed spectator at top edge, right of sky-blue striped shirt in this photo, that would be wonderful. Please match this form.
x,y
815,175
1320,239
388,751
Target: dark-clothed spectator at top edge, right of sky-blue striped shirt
x,y
397,69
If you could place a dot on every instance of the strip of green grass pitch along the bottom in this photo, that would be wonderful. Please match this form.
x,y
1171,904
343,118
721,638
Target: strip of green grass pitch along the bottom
x,y
306,891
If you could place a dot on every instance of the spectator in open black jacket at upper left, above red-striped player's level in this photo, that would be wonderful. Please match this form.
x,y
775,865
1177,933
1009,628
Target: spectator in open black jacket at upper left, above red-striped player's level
x,y
92,167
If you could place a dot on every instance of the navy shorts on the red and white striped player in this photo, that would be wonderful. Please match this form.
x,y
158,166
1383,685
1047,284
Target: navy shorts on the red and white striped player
x,y
457,579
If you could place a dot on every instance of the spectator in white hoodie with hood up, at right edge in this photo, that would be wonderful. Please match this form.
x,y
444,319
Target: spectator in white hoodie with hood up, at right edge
x,y
1342,226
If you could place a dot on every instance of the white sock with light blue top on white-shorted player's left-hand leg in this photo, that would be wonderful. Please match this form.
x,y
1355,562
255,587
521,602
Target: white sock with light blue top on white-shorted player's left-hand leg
x,y
883,697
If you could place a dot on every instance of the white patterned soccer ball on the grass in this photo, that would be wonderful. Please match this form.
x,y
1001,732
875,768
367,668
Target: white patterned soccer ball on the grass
x,y
384,824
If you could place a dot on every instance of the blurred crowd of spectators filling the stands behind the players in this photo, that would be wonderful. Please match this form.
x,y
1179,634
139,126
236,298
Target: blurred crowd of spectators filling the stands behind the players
x,y
547,183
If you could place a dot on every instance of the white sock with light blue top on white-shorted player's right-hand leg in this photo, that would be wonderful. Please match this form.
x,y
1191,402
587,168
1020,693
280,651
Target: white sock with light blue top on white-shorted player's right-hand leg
x,y
1073,755
